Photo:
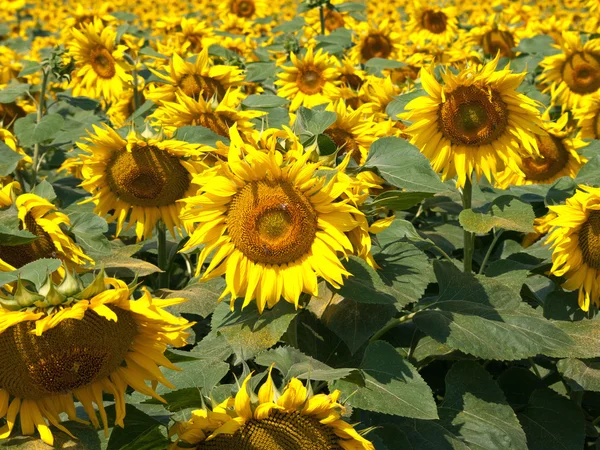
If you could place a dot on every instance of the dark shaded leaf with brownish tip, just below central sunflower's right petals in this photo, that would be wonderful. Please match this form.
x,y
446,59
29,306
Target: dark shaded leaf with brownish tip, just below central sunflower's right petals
x,y
355,322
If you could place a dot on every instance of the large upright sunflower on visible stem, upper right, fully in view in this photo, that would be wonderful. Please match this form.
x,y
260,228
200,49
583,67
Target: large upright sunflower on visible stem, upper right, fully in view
x,y
475,121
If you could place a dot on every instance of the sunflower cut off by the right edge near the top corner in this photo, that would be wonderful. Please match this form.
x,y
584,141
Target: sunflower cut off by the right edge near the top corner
x,y
573,75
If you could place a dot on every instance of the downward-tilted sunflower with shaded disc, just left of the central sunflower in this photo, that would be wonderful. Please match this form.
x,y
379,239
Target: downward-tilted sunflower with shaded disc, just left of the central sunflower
x,y
144,178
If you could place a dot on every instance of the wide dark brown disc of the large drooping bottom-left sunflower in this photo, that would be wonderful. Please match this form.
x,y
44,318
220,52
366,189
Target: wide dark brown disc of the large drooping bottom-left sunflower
x,y
72,355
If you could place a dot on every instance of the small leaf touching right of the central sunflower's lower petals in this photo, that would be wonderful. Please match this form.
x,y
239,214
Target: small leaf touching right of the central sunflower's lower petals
x,y
405,271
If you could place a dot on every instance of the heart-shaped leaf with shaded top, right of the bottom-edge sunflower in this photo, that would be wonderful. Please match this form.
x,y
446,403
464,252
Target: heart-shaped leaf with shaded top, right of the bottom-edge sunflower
x,y
389,385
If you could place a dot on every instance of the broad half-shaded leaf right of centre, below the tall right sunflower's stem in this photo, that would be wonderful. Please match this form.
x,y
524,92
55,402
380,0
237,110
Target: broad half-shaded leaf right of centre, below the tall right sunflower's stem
x,y
486,318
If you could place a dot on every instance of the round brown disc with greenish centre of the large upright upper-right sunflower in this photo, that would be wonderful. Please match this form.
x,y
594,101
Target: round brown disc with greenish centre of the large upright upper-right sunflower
x,y
472,116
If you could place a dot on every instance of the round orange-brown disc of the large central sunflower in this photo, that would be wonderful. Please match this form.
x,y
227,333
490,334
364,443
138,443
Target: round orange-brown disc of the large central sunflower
x,y
271,222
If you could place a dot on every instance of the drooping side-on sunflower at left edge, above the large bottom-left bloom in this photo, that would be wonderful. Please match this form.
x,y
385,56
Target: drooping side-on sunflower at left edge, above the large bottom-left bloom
x,y
38,216
